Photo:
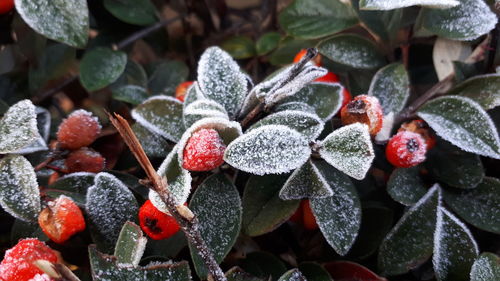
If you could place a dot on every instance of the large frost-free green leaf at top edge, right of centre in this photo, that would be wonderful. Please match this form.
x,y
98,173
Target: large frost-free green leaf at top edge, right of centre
x,y
316,18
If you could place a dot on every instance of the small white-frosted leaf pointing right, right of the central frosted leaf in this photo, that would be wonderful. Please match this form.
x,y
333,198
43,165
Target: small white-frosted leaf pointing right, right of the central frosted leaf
x,y
349,149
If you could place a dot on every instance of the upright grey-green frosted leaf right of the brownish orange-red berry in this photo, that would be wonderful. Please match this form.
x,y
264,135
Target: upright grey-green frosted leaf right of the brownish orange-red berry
x,y
391,85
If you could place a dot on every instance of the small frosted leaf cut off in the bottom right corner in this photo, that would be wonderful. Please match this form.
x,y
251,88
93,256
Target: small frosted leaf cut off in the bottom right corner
x,y
486,268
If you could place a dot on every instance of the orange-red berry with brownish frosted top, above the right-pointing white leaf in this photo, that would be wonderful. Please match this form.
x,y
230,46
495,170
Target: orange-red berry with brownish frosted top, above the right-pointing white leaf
x,y
363,109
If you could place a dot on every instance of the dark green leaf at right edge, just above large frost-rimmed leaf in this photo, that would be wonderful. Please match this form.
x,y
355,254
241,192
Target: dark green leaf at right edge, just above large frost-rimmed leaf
x,y
484,89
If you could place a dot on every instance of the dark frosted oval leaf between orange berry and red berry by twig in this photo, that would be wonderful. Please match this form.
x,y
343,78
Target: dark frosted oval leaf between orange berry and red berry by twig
x,y
109,205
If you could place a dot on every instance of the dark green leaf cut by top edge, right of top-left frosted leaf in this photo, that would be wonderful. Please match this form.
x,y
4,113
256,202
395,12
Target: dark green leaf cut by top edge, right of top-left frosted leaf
x,y
139,12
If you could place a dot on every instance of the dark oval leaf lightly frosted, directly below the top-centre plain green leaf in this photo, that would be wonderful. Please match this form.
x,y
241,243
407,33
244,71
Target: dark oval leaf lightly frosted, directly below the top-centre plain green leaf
x,y
352,51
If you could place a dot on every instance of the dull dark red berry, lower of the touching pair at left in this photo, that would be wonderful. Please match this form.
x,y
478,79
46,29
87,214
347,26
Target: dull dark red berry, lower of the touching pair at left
x,y
85,160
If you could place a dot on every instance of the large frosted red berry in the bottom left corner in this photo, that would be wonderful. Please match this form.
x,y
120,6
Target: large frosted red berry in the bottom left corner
x,y
17,264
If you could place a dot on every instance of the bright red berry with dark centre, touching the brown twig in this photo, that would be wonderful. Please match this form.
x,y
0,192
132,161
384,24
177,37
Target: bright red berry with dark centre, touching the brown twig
x,y
155,223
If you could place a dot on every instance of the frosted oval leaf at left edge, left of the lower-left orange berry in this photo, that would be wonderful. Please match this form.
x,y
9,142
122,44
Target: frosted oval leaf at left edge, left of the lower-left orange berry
x,y
19,193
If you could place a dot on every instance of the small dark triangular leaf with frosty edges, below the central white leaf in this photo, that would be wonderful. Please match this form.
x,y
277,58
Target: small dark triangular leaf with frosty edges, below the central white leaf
x,y
306,182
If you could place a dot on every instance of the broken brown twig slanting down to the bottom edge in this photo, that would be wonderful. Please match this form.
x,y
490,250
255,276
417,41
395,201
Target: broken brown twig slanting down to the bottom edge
x,y
182,214
